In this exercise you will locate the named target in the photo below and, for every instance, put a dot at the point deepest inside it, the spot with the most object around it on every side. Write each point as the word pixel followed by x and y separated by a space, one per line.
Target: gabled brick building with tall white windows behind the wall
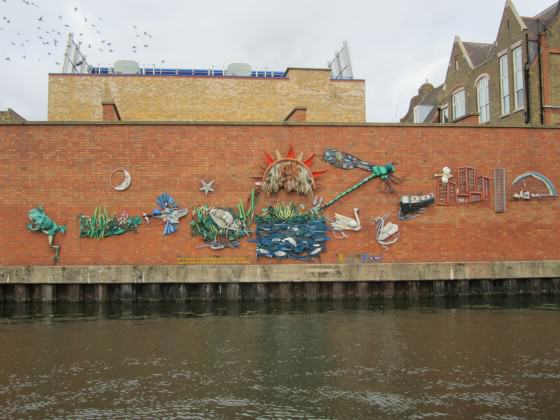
pixel 514 80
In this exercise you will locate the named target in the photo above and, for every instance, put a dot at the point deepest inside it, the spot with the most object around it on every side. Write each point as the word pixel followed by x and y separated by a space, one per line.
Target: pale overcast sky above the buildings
pixel 394 45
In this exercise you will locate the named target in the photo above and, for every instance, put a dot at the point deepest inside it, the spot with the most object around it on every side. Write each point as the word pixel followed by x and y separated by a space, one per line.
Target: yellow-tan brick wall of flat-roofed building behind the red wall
pixel 79 97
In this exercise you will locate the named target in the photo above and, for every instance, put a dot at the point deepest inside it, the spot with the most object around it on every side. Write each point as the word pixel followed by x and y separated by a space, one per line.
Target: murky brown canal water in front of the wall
pixel 485 359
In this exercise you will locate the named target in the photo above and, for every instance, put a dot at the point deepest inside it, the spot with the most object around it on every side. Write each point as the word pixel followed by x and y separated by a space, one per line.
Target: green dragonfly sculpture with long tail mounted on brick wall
pixel 347 161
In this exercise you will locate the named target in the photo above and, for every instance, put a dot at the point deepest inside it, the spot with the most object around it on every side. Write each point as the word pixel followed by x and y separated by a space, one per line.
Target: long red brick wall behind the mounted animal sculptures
pixel 66 169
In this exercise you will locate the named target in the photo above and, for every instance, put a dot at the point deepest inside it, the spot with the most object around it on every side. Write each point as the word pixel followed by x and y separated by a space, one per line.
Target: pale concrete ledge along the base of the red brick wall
pixel 289 273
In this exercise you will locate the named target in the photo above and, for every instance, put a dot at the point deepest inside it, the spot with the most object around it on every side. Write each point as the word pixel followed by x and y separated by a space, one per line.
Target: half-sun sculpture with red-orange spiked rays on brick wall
pixel 291 173
